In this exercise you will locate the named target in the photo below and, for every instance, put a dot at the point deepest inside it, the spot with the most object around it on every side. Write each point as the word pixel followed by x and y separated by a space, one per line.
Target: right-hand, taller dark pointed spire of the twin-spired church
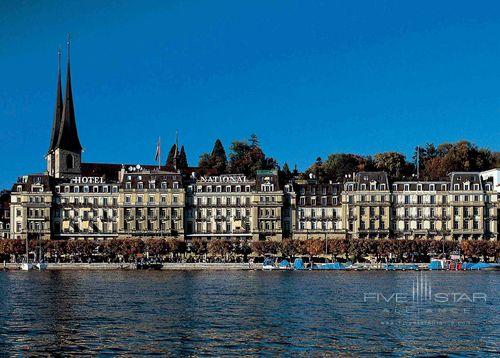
pixel 68 133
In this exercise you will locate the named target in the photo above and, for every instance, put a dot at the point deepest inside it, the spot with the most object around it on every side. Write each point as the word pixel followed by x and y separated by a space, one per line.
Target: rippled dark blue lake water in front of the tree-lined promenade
pixel 249 313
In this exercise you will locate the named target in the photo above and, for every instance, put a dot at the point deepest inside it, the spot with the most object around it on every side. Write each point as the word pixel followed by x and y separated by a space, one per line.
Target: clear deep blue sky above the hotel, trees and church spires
pixel 309 77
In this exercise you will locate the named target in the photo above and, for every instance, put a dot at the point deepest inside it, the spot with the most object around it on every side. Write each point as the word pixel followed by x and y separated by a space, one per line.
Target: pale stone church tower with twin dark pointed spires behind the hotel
pixel 65 153
